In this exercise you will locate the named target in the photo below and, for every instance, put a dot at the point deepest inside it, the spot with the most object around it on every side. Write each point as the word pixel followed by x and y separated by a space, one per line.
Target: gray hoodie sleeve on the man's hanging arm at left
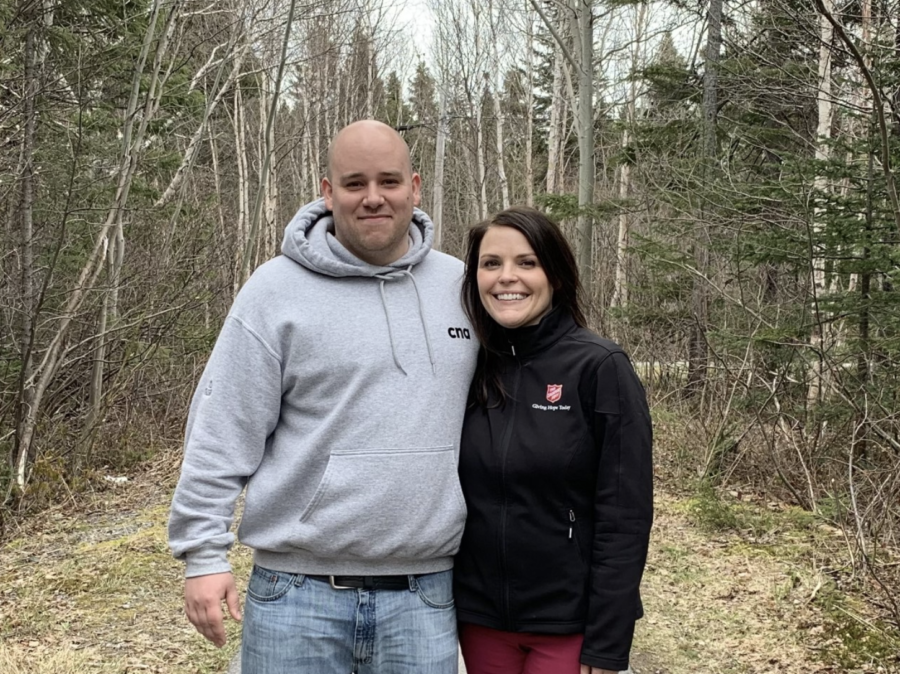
pixel 234 410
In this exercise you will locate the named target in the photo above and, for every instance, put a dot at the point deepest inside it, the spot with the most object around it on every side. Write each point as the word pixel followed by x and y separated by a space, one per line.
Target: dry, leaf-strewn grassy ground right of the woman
pixel 742 588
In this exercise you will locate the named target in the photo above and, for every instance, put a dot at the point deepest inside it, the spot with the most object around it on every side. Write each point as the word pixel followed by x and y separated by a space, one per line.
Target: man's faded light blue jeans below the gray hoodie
pixel 297 625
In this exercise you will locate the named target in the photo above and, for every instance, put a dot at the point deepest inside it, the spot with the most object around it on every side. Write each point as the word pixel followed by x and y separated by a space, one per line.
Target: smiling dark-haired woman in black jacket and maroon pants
pixel 555 465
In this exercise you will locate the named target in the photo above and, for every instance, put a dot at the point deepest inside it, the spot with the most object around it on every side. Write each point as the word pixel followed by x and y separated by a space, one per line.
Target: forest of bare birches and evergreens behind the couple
pixel 725 171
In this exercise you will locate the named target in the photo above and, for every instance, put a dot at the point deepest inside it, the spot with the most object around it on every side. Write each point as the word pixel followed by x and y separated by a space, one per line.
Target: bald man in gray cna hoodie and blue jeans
pixel 335 394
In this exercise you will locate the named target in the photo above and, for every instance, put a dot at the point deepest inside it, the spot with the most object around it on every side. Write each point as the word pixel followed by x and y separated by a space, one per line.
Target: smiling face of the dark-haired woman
pixel 511 282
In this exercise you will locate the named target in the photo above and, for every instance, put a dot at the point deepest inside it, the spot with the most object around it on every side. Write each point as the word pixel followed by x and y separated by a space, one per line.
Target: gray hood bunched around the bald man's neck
pixel 309 240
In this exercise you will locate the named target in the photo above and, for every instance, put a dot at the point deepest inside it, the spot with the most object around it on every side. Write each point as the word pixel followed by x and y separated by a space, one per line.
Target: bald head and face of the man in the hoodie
pixel 371 192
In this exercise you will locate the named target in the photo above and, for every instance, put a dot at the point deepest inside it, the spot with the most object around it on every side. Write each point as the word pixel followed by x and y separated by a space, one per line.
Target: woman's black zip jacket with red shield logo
pixel 559 488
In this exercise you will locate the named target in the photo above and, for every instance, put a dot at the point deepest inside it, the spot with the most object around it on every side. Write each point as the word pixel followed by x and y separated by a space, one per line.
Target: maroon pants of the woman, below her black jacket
pixel 488 651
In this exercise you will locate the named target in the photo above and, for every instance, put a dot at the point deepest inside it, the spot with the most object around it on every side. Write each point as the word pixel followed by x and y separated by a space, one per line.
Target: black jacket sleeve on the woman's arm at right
pixel 623 514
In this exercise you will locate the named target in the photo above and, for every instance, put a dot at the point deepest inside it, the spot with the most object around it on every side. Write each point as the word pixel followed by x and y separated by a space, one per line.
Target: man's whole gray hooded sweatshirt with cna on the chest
pixel 335 394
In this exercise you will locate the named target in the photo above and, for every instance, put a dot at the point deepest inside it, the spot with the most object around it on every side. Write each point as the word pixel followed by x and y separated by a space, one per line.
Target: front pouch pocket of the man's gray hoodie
pixel 385 504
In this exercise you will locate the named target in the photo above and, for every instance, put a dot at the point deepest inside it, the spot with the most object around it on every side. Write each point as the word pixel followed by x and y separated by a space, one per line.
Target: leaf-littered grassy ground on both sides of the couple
pixel 90 587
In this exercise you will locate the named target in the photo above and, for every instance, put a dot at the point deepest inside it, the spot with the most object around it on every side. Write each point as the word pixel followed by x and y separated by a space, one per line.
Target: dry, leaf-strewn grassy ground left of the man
pixel 100 593
